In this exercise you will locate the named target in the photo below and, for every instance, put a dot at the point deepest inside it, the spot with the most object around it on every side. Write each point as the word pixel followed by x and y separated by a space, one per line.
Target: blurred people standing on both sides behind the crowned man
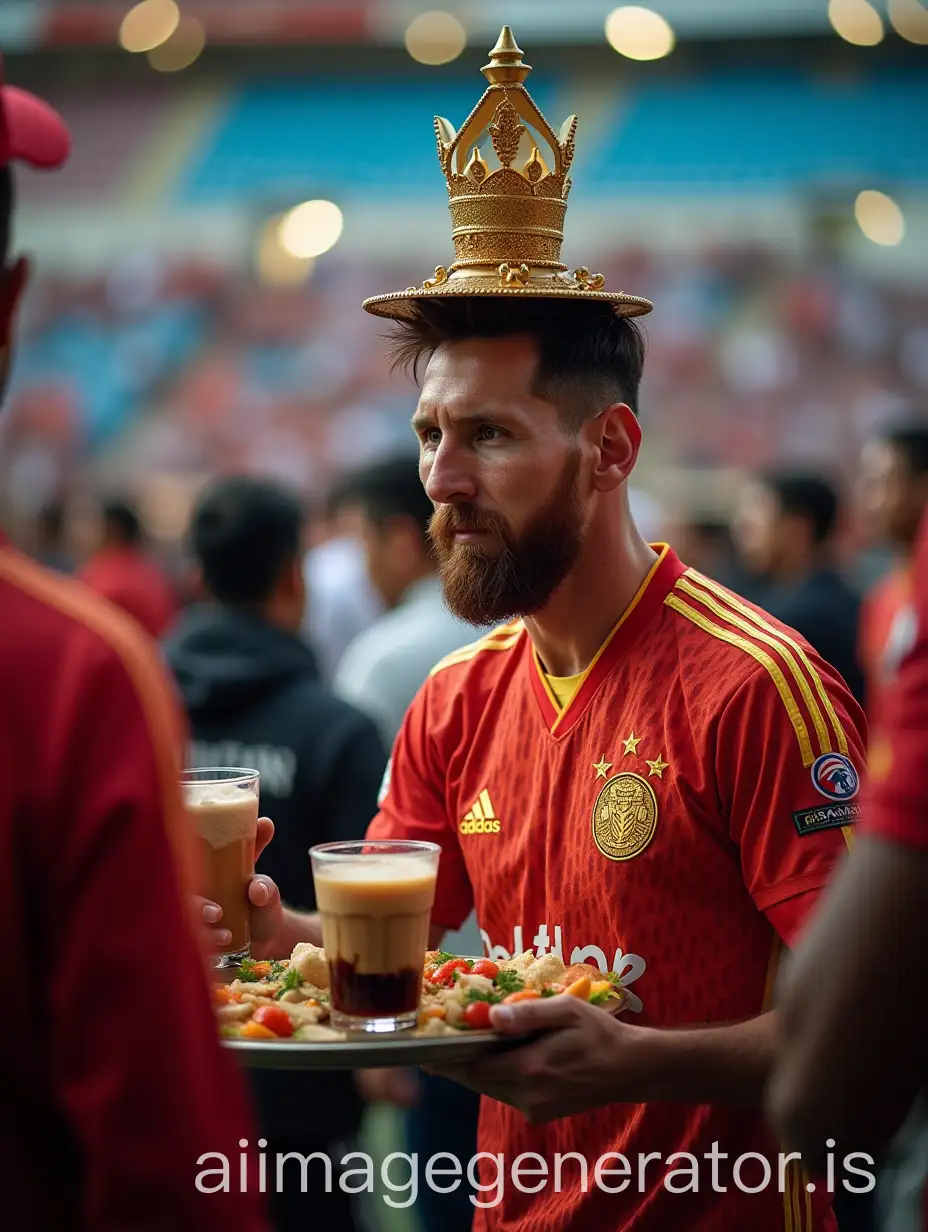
pixel 300 631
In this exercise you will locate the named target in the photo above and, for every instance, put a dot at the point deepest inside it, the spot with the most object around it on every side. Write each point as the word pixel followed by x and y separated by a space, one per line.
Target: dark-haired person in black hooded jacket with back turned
pixel 254 699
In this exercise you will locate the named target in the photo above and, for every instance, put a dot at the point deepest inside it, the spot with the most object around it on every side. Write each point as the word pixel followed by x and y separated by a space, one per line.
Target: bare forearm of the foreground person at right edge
pixel 855 1007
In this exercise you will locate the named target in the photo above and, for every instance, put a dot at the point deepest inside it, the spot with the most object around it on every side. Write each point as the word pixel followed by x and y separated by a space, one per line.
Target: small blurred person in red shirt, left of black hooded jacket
pixel 124 572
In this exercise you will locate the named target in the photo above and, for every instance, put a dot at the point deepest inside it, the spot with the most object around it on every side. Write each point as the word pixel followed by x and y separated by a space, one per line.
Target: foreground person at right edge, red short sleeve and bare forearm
pixel 869 933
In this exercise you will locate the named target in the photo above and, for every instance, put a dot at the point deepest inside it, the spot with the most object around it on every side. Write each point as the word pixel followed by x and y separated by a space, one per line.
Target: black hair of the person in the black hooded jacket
pixel 243 534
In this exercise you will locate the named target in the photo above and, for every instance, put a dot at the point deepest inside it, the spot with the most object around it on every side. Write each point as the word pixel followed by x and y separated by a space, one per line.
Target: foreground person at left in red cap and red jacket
pixel 114 1080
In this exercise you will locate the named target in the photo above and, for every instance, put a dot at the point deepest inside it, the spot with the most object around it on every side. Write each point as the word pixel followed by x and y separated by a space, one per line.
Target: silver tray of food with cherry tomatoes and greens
pixel 277 1015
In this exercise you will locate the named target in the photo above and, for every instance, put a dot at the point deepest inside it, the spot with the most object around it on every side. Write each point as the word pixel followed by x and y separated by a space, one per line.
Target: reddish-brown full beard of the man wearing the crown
pixel 516 576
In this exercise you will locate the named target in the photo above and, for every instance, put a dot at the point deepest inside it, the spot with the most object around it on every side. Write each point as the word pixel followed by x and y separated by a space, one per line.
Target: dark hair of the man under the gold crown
pixel 588 358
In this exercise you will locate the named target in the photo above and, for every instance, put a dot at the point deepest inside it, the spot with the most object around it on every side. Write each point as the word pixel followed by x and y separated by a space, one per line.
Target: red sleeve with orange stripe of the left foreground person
pixel 135 1059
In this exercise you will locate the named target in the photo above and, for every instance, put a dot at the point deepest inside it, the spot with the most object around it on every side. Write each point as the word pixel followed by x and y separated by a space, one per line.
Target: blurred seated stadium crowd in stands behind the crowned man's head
pixel 756 359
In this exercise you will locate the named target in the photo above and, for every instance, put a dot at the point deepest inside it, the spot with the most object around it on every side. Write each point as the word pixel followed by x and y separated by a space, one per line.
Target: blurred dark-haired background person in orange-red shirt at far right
pixel 894 495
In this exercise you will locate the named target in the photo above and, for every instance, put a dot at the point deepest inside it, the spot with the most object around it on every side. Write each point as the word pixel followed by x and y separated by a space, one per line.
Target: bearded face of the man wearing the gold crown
pixel 505 477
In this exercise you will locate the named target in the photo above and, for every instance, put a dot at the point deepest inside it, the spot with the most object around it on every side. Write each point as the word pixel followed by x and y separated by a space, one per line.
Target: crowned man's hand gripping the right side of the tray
pixel 585 1059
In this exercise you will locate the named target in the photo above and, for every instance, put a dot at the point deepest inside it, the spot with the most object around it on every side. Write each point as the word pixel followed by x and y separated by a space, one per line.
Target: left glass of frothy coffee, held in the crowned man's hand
pixel 224 806
